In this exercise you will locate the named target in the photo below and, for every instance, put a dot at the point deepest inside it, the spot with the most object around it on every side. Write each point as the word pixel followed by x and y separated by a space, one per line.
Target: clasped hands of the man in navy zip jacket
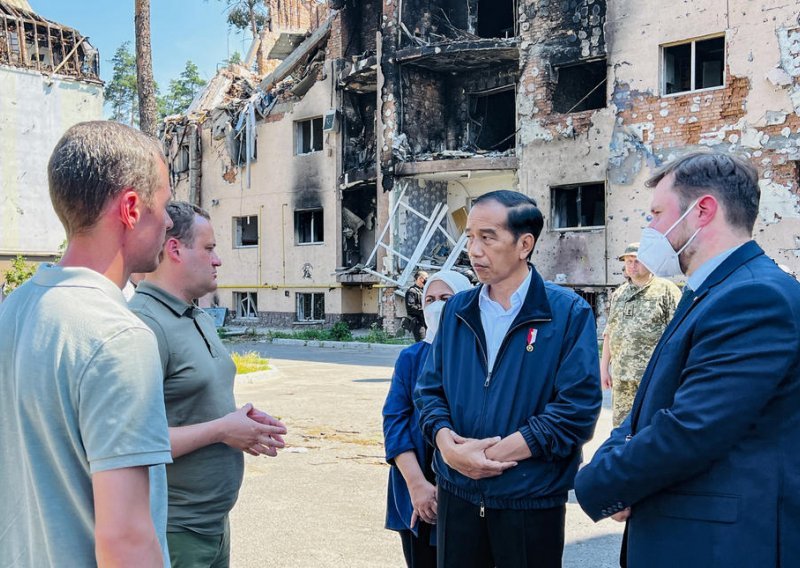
pixel 478 459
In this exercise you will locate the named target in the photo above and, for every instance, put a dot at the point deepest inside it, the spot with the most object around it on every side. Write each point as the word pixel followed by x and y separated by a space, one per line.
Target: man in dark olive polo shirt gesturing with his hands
pixel 207 433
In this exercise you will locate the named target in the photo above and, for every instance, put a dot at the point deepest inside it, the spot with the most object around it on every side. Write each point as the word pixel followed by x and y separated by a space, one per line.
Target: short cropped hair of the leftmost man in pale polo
pixel 95 161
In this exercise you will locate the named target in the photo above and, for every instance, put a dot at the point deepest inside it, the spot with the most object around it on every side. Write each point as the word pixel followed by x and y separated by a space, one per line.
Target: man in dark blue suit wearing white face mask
pixel 705 469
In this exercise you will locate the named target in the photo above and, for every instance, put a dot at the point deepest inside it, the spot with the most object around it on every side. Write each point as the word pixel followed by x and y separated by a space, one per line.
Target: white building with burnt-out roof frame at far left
pixel 49 80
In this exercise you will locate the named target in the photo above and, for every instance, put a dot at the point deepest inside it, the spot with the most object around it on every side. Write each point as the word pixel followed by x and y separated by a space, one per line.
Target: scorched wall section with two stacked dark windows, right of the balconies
pixel 564 129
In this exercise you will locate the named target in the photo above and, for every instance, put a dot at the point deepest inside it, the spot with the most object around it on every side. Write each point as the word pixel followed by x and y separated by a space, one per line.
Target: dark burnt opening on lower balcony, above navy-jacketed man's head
pixel 493 120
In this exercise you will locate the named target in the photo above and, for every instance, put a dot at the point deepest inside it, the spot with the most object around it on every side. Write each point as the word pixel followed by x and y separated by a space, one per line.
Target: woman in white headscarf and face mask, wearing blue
pixel 411 506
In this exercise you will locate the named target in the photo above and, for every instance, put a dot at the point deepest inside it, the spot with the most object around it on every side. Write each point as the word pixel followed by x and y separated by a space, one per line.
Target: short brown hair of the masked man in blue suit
pixel 731 179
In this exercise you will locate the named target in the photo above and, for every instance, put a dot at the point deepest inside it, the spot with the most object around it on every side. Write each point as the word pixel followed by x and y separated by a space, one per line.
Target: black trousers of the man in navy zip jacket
pixel 503 538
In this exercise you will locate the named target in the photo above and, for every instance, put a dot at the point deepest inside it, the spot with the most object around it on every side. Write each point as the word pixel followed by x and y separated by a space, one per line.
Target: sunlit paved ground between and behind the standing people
pixel 321 502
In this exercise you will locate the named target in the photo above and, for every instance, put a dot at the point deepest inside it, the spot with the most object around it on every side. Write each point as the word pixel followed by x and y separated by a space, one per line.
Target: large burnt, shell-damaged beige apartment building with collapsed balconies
pixel 354 154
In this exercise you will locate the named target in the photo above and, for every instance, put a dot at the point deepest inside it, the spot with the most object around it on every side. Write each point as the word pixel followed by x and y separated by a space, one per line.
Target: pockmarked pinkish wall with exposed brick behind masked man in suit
pixel 726 77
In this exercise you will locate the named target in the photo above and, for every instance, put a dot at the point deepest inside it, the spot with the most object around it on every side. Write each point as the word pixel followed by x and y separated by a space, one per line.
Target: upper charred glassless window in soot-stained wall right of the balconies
pixel 580 87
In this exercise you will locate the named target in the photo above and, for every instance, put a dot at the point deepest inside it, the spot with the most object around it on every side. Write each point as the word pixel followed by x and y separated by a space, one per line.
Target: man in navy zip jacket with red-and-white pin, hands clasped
pixel 509 394
